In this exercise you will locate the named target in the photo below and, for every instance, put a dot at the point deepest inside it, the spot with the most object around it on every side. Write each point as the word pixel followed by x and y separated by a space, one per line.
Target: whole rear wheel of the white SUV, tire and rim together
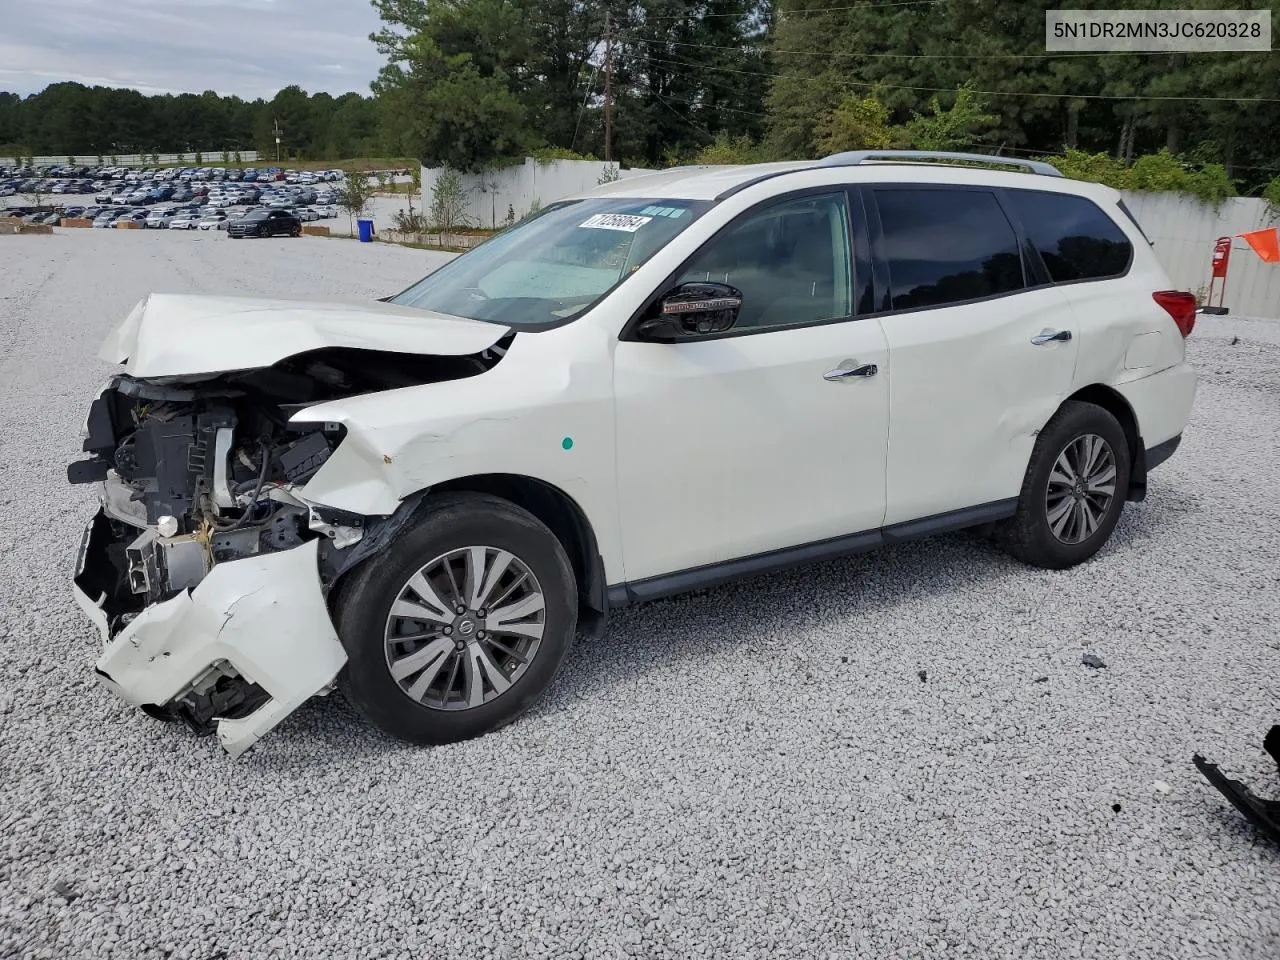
pixel 1060 524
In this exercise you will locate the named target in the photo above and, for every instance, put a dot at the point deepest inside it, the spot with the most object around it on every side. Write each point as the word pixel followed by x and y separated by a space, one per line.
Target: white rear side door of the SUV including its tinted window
pixel 982 348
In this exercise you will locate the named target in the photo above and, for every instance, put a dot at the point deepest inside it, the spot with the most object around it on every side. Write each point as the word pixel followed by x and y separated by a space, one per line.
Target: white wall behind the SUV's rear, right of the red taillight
pixel 1185 231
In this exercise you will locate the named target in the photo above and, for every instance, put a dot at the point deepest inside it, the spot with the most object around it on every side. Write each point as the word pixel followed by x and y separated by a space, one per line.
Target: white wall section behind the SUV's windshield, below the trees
pixel 515 189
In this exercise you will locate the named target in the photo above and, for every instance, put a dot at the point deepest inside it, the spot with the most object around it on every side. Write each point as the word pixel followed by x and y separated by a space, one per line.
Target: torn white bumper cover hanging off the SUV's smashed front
pixel 264 616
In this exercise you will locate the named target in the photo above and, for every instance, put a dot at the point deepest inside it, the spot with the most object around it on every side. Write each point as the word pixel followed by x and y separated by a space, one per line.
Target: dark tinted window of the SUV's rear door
pixel 948 246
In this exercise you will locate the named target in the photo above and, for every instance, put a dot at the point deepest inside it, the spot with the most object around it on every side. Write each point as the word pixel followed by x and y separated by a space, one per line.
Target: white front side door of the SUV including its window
pixel 770 436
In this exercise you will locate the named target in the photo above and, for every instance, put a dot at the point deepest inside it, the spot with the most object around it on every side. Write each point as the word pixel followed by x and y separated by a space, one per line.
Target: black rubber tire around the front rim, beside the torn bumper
pixel 364 604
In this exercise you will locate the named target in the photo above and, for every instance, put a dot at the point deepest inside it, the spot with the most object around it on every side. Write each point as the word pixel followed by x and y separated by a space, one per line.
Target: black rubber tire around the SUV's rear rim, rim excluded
pixel 1028 536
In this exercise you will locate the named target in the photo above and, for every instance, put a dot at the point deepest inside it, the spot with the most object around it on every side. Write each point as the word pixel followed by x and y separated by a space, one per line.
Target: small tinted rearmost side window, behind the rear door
pixel 1075 237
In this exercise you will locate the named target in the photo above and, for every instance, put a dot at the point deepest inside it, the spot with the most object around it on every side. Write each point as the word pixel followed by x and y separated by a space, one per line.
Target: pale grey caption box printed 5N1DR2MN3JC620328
pixel 1158 31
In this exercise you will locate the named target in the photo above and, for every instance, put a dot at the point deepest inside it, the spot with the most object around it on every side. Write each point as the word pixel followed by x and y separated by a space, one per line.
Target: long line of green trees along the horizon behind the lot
pixel 477 84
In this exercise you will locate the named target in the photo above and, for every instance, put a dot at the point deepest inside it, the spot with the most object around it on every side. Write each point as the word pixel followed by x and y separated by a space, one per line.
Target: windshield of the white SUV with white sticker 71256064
pixel 556 266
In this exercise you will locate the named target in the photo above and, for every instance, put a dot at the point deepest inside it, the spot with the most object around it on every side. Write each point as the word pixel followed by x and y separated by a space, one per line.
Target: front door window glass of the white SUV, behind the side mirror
pixel 790 260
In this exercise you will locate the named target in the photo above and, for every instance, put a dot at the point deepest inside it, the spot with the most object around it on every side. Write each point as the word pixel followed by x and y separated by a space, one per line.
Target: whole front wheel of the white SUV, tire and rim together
pixel 365 620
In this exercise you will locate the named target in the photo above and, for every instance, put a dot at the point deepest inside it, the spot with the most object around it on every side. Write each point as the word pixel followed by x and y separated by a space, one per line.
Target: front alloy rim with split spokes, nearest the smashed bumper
pixel 465 628
